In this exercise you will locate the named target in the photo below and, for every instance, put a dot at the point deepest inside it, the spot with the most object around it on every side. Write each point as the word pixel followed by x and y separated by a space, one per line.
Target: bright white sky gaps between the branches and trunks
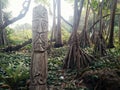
pixel 16 6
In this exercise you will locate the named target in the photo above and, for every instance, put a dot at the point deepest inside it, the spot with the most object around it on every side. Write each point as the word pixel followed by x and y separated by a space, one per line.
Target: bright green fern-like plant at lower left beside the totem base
pixel 15 75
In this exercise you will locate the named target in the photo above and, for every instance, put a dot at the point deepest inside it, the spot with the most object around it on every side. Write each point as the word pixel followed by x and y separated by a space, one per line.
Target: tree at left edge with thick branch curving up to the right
pixel 4 24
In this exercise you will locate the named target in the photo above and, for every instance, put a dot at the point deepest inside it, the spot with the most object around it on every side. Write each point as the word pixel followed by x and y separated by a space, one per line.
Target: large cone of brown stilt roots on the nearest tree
pixel 77 58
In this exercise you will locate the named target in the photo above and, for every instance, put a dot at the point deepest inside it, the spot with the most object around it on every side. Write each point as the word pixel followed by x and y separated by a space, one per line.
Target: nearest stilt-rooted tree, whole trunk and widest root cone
pixel 76 57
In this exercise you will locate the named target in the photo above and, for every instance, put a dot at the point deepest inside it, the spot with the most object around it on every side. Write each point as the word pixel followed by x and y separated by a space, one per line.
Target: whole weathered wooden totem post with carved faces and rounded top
pixel 39 54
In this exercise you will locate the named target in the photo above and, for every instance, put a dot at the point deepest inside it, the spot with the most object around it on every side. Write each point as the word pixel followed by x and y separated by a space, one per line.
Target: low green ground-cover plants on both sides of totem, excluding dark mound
pixel 14 69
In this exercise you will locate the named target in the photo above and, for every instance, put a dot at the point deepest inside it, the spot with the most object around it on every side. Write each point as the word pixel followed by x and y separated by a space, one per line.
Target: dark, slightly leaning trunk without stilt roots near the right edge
pixel 111 26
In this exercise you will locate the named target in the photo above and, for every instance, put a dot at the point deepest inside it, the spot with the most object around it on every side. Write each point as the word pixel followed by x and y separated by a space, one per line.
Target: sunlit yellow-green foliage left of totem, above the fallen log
pixel 18 36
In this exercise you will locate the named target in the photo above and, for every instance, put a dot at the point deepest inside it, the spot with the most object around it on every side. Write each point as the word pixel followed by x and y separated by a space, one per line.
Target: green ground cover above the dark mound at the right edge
pixel 110 61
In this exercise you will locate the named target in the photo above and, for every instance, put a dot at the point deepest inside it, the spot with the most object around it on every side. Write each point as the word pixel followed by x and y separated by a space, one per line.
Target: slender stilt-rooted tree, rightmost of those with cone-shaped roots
pixel 100 45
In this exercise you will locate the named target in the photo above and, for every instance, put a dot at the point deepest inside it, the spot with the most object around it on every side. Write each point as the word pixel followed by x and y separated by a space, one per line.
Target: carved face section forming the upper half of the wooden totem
pixel 40 28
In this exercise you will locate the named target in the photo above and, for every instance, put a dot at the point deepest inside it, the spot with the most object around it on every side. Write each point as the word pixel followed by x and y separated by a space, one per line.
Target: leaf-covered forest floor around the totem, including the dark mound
pixel 104 74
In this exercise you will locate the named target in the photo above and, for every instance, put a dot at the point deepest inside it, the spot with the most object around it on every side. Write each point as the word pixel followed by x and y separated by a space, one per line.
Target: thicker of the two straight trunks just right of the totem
pixel 58 42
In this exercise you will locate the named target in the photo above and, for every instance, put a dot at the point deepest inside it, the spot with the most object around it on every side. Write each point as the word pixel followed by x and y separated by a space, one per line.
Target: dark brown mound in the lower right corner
pixel 104 79
